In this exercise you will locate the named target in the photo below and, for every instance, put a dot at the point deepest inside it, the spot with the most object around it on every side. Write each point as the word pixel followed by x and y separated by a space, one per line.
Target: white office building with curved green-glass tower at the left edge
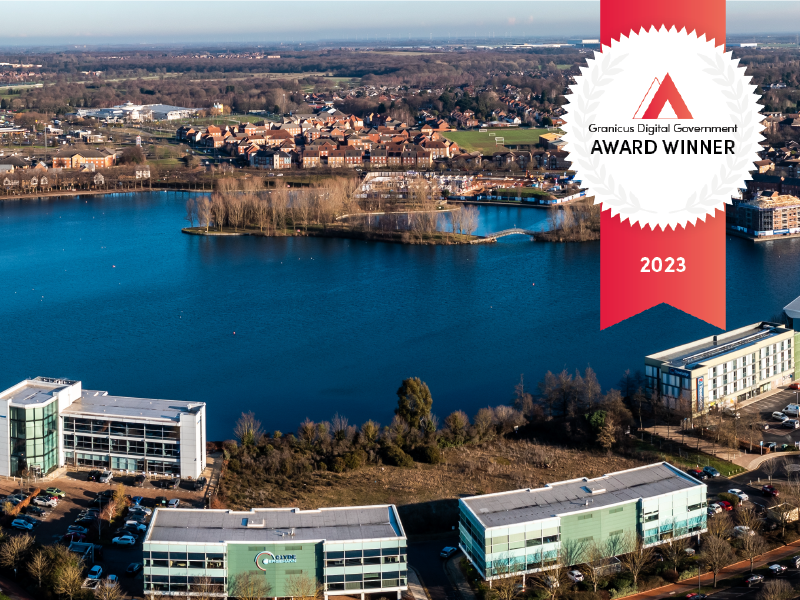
pixel 46 423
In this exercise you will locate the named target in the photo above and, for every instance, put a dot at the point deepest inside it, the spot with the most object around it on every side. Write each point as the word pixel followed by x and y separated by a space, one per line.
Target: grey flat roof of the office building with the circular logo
pixel 270 525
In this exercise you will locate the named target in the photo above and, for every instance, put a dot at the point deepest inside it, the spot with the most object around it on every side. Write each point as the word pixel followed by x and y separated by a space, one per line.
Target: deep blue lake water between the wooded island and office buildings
pixel 107 290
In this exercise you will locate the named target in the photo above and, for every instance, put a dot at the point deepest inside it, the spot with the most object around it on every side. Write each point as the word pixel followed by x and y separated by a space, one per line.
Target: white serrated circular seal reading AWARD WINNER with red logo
pixel 662 127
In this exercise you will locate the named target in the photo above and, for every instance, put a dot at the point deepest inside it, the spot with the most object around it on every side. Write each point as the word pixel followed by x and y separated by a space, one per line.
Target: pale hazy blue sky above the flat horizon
pixel 226 22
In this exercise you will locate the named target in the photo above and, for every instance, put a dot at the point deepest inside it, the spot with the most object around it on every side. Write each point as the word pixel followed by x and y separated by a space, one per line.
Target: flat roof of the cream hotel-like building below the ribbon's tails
pixel 694 354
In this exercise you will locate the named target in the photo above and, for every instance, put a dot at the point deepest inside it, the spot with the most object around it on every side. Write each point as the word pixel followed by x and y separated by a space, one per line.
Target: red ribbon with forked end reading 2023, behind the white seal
pixel 700 289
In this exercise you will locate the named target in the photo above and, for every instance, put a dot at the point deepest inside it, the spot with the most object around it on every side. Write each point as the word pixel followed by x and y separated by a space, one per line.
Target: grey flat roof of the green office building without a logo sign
pixel 556 499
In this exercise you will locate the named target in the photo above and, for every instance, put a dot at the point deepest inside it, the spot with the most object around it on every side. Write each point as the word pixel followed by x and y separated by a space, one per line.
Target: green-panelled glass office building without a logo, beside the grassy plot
pixel 526 531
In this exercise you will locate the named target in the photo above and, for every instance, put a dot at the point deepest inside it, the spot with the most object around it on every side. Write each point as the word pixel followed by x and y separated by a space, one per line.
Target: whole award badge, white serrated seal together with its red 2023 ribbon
pixel 662 127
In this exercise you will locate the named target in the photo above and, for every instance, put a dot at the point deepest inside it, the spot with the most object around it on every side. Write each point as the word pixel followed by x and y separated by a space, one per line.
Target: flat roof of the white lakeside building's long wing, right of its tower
pixel 100 404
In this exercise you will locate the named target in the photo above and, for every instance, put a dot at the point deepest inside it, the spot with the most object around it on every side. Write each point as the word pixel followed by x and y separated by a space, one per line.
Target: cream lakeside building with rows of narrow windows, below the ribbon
pixel 723 369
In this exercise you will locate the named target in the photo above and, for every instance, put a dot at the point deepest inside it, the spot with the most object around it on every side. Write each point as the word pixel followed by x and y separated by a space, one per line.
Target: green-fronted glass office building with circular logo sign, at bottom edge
pixel 353 551
